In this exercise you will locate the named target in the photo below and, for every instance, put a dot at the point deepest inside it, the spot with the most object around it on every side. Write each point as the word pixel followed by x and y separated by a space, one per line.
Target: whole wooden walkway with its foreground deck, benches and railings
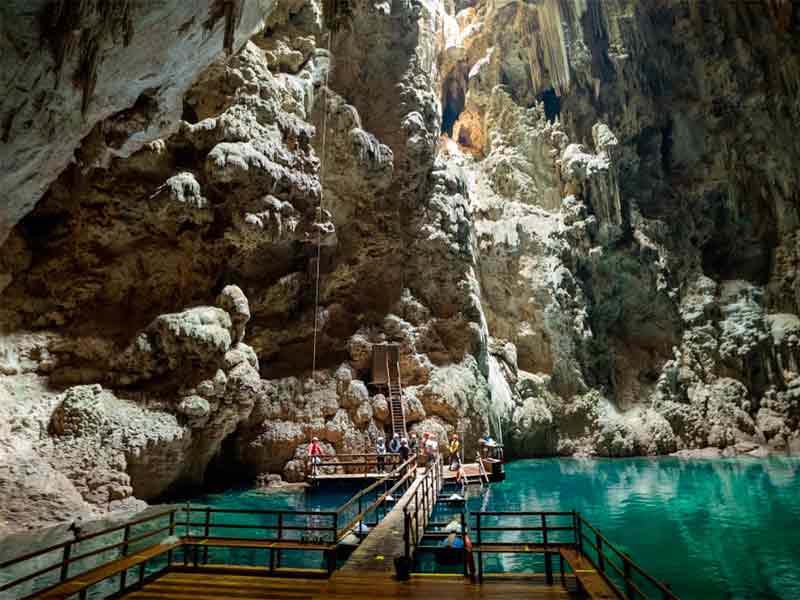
pixel 370 572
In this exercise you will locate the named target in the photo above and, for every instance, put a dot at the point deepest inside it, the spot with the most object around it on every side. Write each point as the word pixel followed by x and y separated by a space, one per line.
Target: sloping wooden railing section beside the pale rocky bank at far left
pixel 69 557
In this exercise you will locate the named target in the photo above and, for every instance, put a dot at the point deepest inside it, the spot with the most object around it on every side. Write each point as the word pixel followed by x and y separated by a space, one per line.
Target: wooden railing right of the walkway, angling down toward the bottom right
pixel 536 533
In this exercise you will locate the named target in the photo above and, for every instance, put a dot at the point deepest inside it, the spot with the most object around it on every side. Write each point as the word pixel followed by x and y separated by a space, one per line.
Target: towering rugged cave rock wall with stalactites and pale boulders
pixel 576 219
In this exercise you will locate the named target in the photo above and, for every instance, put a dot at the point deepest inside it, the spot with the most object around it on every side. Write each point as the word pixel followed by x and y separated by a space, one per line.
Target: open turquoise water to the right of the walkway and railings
pixel 710 528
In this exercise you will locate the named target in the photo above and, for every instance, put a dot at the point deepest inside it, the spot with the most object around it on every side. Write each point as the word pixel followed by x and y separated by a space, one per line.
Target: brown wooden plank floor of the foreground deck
pixel 207 586
